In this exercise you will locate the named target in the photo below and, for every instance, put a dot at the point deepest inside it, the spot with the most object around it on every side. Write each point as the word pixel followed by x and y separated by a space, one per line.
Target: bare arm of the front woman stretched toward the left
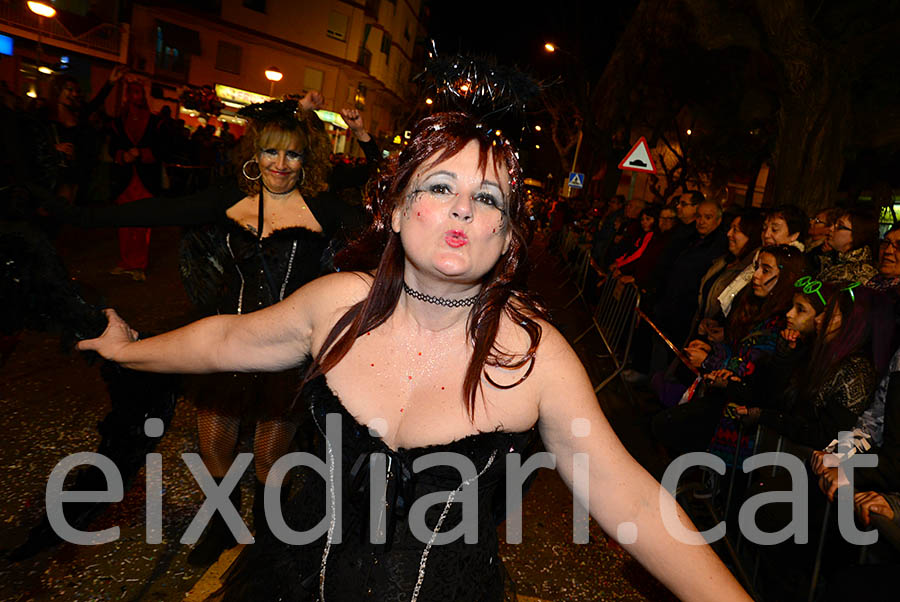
pixel 271 339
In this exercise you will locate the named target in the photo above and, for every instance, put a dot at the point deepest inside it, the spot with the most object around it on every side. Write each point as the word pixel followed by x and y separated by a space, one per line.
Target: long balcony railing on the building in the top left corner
pixel 106 40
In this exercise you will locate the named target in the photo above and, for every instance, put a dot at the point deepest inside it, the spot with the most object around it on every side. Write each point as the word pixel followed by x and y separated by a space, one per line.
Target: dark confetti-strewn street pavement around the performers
pixel 52 400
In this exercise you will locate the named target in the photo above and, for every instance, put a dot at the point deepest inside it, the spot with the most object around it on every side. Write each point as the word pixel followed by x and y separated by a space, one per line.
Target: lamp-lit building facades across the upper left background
pixel 359 53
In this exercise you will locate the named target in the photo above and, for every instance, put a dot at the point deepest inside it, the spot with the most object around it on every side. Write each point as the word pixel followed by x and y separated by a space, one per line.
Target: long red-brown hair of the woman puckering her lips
pixel 435 139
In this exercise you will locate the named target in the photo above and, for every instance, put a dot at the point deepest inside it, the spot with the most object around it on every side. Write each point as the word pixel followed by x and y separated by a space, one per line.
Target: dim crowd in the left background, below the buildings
pixel 90 154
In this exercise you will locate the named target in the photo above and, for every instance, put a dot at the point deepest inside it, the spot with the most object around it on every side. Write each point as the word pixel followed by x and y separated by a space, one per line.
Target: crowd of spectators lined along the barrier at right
pixel 787 321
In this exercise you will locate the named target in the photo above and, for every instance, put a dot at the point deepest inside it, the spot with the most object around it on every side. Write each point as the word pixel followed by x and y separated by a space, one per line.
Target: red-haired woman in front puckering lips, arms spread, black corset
pixel 434 346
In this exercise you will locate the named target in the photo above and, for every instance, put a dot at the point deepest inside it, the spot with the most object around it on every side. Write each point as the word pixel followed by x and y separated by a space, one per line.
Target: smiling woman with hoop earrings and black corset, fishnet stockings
pixel 262 238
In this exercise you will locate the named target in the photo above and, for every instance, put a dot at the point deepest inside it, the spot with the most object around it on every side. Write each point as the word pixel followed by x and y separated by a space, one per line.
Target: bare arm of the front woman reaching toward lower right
pixel 620 490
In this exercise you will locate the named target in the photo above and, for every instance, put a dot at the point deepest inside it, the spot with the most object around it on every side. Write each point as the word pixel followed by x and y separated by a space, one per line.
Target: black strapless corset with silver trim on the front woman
pixel 347 563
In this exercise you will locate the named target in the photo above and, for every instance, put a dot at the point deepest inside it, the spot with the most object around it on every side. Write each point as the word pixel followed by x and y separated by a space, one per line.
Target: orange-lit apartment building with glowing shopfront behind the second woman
pixel 354 52
